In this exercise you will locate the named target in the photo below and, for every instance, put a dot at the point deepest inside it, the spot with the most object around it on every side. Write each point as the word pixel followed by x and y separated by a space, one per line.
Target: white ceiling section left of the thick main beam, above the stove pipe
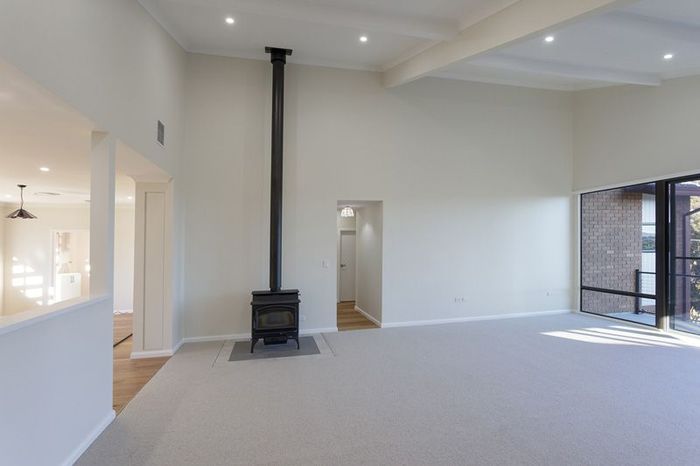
pixel 321 32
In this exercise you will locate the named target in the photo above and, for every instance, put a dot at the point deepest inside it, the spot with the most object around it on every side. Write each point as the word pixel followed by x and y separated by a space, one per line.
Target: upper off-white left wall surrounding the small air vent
pixel 110 60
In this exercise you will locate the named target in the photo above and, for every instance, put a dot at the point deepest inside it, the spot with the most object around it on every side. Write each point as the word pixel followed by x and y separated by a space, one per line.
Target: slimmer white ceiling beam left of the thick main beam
pixel 313 12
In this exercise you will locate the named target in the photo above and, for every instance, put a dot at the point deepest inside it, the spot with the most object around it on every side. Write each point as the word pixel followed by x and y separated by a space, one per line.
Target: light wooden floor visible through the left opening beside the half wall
pixel 130 375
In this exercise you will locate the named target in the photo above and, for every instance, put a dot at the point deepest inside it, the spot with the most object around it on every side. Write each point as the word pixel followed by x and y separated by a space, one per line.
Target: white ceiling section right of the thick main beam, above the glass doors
pixel 625 46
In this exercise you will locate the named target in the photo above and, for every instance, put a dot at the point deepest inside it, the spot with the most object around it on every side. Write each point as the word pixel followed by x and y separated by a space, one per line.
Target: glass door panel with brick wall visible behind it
pixel 618 253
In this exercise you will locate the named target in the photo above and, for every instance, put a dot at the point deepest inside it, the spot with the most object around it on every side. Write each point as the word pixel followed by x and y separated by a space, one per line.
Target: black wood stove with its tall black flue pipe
pixel 275 312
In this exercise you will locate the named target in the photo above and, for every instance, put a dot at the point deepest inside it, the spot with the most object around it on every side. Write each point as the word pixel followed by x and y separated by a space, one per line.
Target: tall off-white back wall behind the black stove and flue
pixel 475 180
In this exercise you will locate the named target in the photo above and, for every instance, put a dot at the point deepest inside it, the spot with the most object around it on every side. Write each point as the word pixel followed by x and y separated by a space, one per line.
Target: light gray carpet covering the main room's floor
pixel 562 390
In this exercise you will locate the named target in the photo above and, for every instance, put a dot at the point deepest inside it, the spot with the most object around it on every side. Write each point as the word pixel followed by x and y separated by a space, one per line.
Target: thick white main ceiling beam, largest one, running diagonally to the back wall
pixel 519 21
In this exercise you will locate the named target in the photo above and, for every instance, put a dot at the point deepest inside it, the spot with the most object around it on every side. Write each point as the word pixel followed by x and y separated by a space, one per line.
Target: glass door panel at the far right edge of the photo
pixel 684 253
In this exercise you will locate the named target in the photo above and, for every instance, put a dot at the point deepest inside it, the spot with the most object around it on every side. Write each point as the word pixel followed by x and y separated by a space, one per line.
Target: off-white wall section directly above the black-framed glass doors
pixel 631 133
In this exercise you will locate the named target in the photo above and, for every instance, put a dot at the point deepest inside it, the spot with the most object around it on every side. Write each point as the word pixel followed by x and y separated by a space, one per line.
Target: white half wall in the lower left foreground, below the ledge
pixel 56 385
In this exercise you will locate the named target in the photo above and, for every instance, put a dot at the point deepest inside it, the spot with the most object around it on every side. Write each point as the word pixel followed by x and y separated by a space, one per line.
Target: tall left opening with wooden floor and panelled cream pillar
pixel 142 226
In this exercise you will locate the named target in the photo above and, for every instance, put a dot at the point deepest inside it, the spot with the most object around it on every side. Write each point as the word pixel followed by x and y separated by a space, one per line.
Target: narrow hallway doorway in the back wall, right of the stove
pixel 359 259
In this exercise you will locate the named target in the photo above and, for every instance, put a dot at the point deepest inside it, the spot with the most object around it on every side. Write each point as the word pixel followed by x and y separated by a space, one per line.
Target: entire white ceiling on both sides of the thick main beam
pixel 625 46
